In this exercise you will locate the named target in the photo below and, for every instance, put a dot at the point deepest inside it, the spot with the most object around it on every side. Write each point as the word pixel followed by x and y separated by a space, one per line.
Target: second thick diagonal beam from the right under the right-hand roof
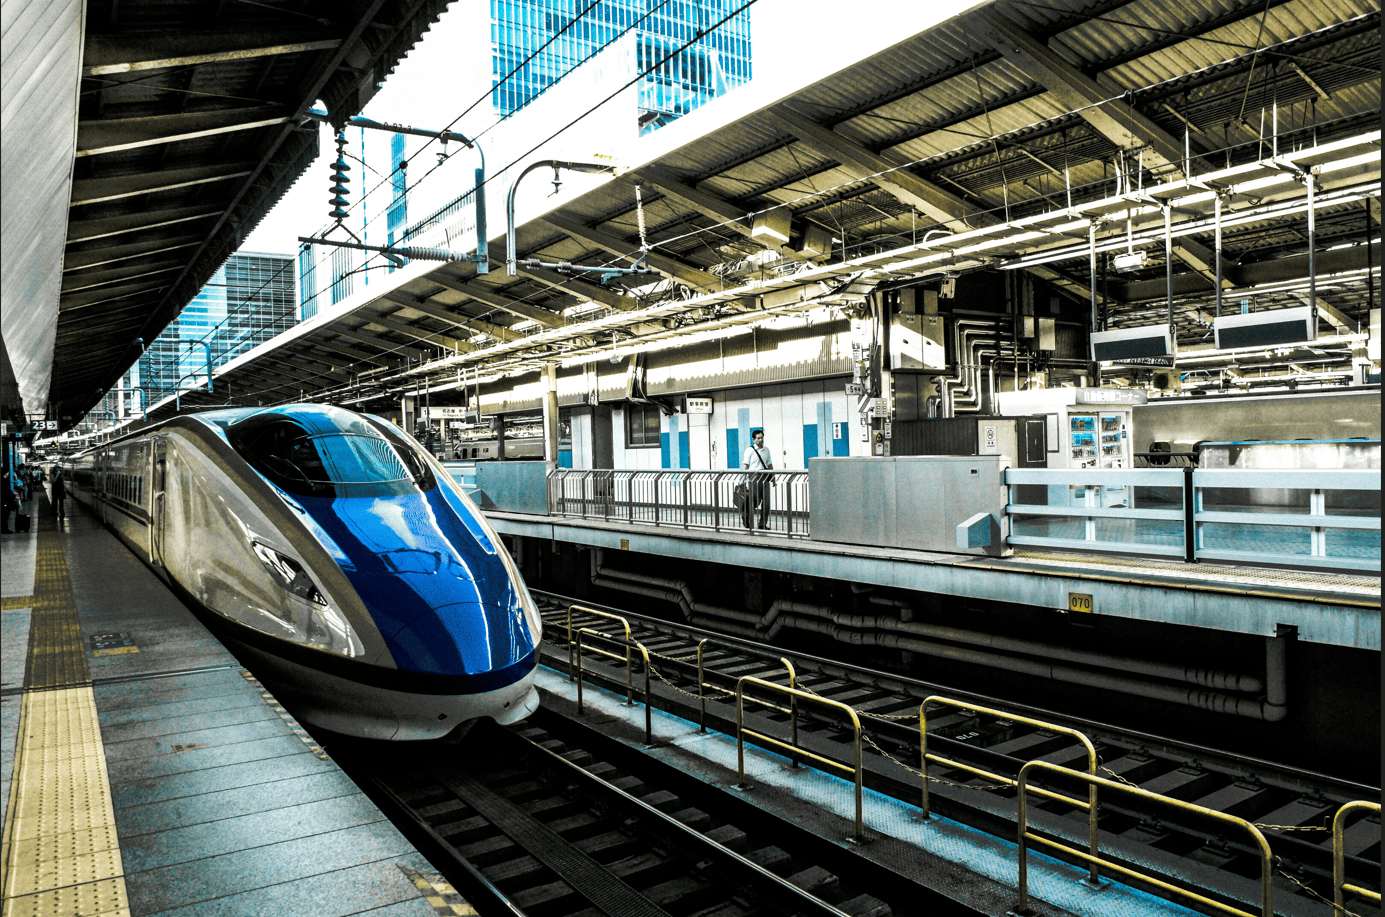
pixel 884 171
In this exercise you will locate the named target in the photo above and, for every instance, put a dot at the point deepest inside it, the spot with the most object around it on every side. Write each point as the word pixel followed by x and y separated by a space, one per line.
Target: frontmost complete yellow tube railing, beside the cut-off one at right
pixel 1095 860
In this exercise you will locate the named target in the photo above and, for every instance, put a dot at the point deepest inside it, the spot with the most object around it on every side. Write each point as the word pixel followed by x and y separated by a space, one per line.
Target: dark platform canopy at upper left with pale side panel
pixel 153 136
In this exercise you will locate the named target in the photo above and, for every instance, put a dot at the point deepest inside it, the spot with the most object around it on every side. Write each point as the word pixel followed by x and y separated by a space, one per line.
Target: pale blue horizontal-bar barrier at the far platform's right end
pixel 1301 517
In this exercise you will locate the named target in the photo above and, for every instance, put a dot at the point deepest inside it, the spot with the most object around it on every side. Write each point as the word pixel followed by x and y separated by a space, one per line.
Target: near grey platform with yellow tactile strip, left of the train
pixel 146 772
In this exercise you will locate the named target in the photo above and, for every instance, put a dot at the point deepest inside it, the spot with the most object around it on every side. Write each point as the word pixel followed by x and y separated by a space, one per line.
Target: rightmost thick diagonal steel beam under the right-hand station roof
pixel 1113 118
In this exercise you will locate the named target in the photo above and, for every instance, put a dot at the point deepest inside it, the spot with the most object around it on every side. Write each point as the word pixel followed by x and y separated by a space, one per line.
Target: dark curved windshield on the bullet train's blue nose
pixel 351 461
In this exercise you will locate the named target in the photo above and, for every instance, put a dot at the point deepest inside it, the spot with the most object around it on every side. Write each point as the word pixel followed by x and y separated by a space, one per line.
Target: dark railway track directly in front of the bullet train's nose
pixel 553 821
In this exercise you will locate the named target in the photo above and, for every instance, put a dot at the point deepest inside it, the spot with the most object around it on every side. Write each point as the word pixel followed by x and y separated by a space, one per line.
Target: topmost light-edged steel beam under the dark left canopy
pixel 107 55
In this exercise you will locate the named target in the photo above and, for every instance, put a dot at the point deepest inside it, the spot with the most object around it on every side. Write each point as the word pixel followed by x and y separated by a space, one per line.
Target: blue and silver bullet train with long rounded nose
pixel 336 558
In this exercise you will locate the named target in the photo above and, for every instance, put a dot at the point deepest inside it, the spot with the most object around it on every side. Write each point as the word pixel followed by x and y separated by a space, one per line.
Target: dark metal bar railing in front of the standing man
pixel 772 502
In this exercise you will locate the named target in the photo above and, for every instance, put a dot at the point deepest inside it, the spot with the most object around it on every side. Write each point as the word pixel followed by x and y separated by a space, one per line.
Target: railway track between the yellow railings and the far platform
pixel 976 754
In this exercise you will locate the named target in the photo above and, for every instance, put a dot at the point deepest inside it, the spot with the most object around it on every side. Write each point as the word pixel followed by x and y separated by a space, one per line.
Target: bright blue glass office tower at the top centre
pixel 679 78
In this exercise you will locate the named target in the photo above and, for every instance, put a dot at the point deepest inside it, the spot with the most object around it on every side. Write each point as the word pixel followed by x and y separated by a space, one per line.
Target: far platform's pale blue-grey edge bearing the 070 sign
pixel 1333 609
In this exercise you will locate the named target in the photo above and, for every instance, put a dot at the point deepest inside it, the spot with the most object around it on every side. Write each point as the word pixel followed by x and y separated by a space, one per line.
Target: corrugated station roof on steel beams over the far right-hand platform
pixel 992 141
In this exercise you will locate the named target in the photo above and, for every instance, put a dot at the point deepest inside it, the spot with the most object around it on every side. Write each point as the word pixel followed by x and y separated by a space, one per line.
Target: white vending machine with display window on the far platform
pixel 1088 429
